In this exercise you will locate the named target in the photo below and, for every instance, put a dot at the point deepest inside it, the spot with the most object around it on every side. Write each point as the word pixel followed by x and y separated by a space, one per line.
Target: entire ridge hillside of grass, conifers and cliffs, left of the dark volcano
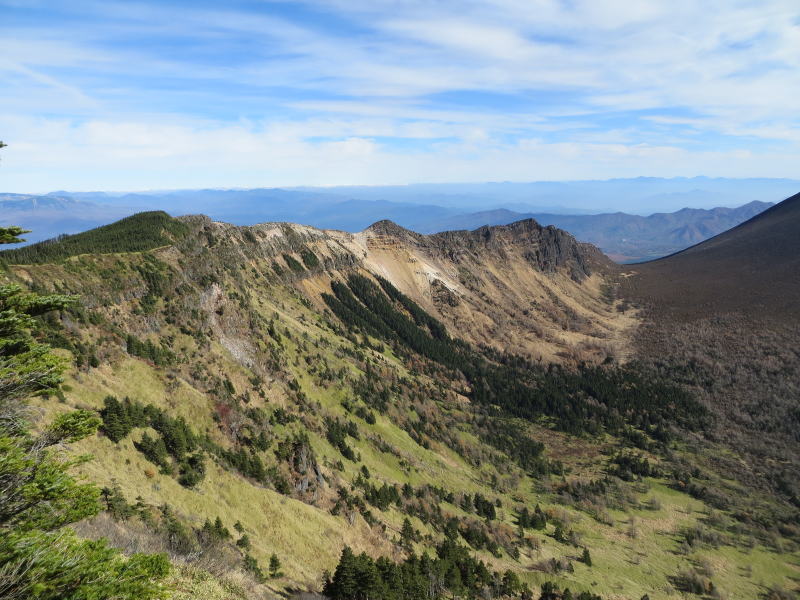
pixel 285 410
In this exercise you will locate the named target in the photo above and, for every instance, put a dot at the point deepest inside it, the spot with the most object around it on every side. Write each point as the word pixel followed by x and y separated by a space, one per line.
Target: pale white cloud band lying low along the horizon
pixel 132 156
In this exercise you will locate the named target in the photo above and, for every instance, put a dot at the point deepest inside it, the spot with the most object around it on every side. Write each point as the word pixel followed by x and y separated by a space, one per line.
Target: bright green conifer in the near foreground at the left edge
pixel 40 557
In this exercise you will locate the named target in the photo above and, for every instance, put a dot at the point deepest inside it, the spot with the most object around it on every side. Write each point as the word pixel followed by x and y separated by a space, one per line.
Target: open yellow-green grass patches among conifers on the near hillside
pixel 309 539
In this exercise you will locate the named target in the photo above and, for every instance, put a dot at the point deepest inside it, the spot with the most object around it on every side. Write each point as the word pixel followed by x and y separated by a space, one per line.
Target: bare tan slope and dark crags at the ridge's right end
pixel 521 287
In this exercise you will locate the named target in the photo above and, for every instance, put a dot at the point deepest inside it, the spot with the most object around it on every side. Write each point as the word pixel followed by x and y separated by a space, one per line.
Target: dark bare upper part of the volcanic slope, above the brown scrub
pixel 752 269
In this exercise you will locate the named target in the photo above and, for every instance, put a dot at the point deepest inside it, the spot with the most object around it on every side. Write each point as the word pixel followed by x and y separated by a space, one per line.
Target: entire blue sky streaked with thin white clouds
pixel 156 95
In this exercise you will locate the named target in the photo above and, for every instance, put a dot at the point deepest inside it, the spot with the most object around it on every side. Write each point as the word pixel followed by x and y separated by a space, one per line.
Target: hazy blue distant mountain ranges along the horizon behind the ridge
pixel 625 236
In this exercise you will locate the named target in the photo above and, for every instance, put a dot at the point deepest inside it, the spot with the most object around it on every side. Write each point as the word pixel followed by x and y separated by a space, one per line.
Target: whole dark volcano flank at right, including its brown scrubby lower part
pixel 726 315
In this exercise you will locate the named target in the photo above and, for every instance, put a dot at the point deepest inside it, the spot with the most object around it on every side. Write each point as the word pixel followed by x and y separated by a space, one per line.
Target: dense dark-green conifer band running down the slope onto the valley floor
pixel 587 400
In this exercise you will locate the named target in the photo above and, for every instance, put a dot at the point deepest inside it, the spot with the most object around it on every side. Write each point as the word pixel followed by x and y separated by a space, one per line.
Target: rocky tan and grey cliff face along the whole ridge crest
pixel 521 287
